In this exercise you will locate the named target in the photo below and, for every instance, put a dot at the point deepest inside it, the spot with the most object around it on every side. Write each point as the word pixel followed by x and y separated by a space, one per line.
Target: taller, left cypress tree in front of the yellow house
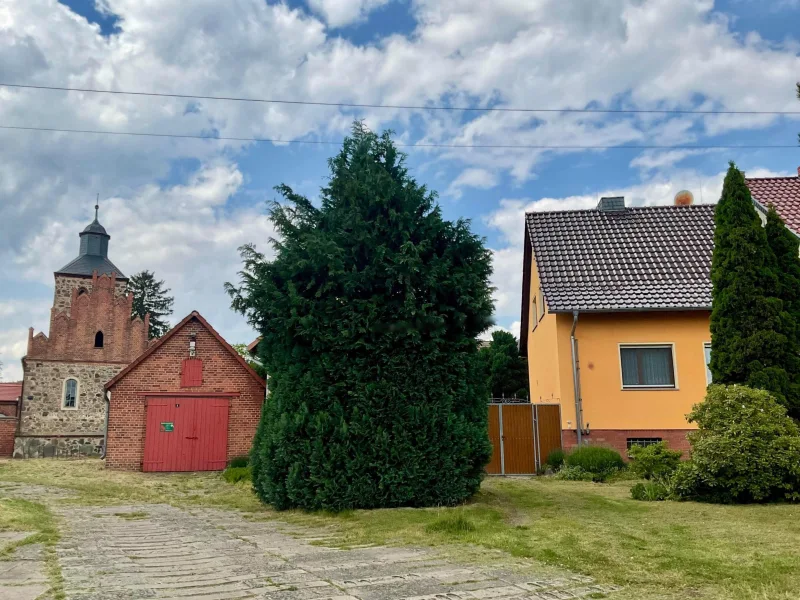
pixel 749 341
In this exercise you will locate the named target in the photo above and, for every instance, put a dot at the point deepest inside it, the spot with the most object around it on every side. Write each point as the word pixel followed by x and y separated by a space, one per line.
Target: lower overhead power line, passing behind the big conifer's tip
pixel 209 138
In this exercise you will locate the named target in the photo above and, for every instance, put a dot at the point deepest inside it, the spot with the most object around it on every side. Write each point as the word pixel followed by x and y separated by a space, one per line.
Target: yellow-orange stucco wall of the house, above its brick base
pixel 605 404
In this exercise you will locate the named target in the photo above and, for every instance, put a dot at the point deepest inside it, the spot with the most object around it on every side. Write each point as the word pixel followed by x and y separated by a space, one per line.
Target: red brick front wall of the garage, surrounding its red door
pixel 161 372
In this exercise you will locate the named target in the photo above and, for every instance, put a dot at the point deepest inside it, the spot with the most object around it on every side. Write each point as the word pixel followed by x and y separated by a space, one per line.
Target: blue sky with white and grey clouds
pixel 181 208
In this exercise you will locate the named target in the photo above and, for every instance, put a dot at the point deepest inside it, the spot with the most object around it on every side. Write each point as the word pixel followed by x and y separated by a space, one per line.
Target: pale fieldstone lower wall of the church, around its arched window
pixel 42 415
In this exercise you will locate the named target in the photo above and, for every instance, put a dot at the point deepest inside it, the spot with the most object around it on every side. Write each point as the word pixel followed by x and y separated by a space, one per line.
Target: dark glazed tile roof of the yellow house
pixel 647 258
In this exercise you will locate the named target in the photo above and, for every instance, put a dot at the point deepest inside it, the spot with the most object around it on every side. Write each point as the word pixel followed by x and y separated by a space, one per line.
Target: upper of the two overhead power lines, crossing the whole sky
pixel 409 106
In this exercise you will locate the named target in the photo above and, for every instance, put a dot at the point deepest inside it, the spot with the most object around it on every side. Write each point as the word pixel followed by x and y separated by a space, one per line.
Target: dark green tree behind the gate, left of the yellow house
pixel 506 369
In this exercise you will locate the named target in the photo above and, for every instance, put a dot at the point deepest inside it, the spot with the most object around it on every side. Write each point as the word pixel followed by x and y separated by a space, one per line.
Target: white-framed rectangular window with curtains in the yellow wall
pixel 647 366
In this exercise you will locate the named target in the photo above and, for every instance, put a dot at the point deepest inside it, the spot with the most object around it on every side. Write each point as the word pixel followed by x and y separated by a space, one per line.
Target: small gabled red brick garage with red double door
pixel 188 403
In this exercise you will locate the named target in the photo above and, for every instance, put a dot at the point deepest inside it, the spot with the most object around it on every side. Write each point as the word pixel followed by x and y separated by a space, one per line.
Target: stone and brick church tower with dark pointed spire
pixel 92 338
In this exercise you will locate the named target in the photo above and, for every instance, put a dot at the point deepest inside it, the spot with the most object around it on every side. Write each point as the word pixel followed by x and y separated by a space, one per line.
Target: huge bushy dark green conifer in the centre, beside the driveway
pixel 369 316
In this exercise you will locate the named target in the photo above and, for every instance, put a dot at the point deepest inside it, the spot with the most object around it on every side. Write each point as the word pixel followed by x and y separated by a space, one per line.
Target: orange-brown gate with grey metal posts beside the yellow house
pixel 522 436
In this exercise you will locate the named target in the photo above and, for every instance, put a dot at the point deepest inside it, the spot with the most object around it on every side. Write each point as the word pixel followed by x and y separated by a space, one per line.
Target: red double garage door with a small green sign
pixel 186 434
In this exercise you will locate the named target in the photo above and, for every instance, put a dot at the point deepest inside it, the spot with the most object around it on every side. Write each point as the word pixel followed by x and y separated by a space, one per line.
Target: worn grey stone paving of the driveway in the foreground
pixel 162 552
